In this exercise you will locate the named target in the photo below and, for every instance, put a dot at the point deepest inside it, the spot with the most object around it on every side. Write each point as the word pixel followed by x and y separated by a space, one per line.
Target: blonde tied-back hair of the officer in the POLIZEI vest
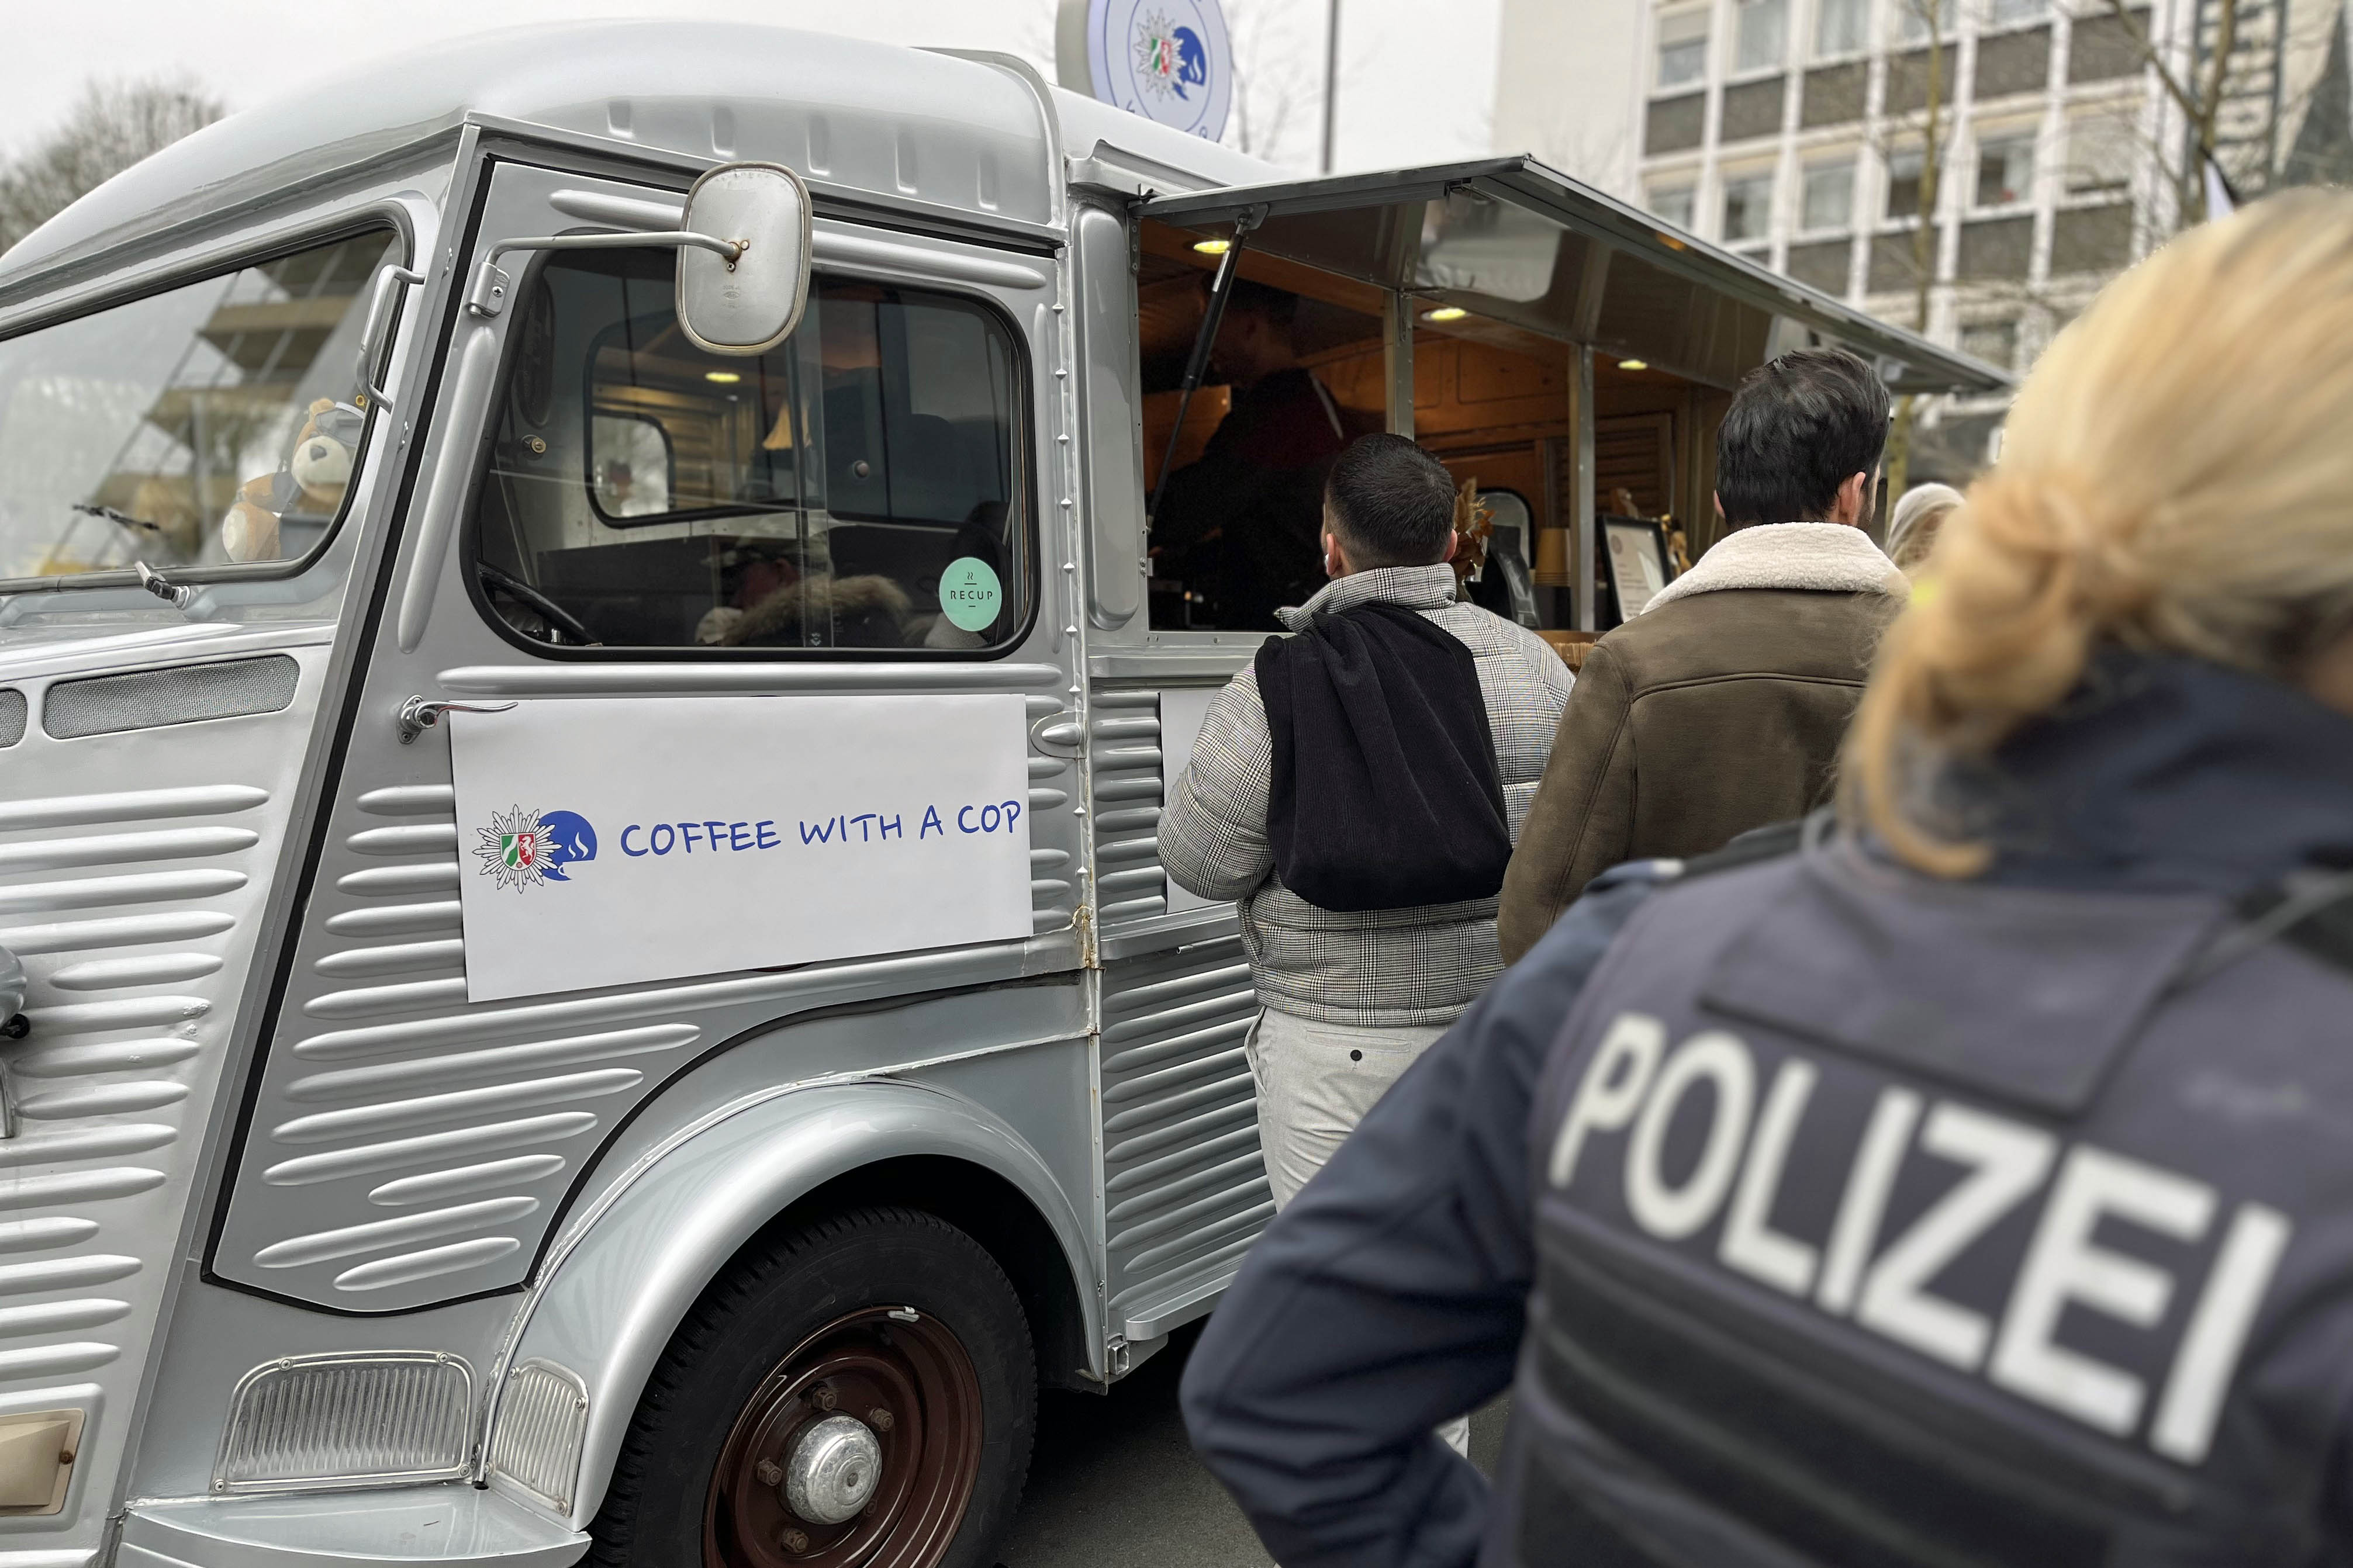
pixel 2178 476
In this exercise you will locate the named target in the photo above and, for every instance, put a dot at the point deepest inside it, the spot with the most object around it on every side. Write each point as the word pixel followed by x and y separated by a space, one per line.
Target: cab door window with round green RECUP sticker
pixel 855 488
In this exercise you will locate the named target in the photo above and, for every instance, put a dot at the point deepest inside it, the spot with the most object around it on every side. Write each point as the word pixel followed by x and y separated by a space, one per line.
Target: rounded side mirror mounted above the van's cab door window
pixel 749 302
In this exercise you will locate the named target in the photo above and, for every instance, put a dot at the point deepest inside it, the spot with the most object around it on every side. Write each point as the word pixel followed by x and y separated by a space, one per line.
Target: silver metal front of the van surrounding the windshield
pixel 105 1061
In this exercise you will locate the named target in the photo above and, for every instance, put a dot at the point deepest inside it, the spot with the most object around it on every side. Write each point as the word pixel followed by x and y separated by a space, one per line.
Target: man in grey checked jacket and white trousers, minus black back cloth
pixel 1352 996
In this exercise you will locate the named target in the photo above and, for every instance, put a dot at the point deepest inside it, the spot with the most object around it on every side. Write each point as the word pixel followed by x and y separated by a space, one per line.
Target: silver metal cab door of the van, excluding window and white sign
pixel 382 1078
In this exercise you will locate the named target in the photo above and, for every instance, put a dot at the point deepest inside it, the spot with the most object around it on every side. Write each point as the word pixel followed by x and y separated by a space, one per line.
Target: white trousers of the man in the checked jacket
pixel 1317 1083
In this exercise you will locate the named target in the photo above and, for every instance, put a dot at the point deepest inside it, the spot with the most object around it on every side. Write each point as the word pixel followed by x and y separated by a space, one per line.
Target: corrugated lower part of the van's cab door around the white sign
pixel 411 1146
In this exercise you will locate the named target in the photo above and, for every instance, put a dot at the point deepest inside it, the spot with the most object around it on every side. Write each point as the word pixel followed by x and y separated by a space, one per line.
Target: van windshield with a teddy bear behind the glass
pixel 213 424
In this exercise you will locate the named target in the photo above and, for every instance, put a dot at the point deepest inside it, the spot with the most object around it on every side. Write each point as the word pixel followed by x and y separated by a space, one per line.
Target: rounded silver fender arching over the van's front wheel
pixel 625 1278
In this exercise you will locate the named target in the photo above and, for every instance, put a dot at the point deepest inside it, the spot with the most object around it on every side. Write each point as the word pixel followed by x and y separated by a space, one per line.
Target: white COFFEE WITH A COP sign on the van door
pixel 620 840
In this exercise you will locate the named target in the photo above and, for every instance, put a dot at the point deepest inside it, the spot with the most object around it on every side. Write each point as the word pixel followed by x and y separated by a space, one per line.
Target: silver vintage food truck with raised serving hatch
pixel 585 699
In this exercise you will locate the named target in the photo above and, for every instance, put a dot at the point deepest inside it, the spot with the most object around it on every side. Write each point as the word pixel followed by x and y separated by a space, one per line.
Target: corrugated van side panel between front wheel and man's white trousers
pixel 1185 1186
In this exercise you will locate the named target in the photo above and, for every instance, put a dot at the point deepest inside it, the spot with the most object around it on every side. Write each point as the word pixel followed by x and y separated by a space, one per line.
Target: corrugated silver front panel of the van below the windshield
pixel 135 871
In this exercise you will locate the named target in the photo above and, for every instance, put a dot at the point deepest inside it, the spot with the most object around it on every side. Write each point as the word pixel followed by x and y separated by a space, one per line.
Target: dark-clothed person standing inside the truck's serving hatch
pixel 1241 523
